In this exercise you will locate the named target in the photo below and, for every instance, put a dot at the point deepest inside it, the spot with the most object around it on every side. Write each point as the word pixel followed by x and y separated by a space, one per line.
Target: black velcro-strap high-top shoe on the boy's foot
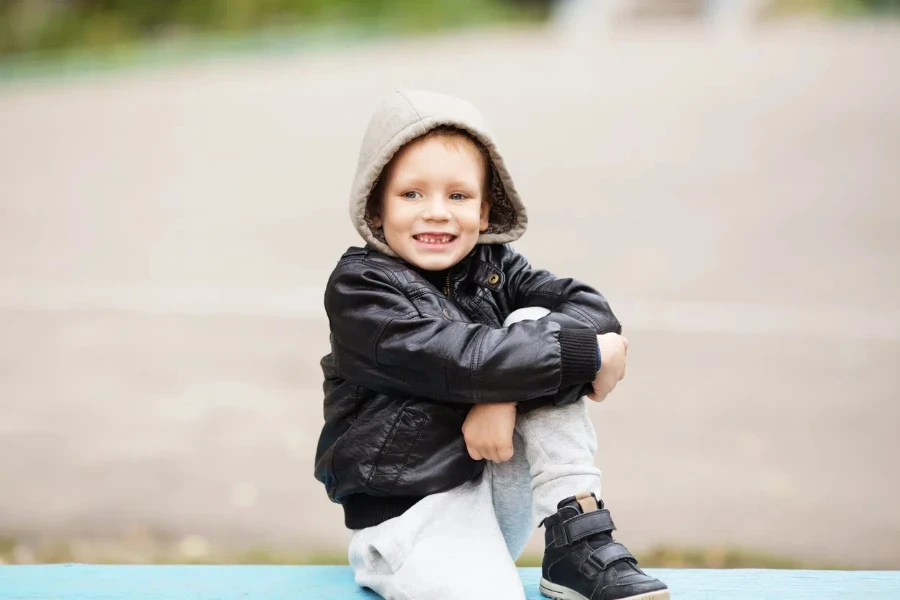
pixel 583 562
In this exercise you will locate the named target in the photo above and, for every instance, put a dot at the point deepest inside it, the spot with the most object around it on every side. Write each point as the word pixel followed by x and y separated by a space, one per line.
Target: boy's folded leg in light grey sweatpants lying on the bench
pixel 448 546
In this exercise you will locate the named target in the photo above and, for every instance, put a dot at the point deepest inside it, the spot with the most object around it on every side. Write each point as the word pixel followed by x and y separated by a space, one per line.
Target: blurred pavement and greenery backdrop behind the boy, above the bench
pixel 173 195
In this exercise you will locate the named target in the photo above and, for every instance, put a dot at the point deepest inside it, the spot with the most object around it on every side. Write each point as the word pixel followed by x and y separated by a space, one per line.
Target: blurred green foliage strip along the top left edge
pixel 55 27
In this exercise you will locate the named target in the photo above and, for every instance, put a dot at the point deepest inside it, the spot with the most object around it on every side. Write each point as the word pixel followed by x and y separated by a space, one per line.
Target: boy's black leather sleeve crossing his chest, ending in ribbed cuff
pixel 382 342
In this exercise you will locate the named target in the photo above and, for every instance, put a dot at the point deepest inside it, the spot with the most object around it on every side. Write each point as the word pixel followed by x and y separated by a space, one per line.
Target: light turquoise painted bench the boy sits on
pixel 93 582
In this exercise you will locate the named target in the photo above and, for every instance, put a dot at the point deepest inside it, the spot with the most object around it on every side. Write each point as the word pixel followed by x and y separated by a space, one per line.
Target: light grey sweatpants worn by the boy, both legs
pixel 461 544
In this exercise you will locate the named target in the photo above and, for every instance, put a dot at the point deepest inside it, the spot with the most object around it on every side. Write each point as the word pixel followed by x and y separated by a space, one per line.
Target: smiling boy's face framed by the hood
pixel 433 207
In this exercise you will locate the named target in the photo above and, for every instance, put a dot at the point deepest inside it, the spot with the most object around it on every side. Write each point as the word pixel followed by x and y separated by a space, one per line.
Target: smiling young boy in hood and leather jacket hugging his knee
pixel 454 412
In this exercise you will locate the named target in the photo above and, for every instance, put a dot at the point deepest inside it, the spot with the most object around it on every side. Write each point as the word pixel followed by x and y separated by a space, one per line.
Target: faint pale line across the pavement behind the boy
pixel 306 302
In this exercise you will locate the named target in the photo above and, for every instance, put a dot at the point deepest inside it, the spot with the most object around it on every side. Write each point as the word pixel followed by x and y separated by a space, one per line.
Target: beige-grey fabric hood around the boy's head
pixel 408 114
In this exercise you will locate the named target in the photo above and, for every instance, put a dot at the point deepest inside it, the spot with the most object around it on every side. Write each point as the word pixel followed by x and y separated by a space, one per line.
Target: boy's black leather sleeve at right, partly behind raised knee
pixel 569 301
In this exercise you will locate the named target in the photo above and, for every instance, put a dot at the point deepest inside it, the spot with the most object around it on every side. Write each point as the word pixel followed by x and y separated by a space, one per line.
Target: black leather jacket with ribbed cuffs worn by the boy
pixel 409 358
